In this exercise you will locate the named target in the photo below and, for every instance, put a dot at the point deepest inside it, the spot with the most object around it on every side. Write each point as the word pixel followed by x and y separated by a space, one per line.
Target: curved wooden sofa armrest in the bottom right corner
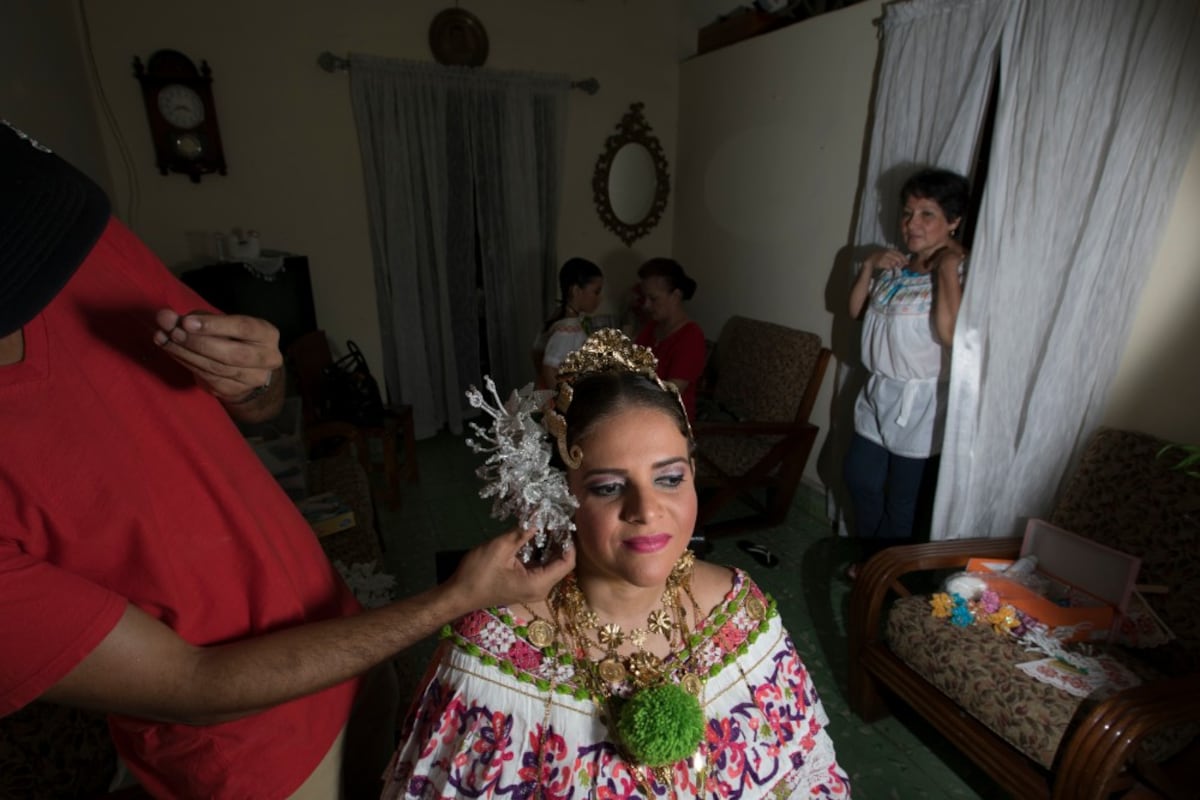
pixel 1108 738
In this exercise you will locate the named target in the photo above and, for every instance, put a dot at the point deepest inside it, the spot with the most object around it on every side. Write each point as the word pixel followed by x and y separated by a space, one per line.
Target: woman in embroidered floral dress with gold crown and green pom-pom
pixel 645 673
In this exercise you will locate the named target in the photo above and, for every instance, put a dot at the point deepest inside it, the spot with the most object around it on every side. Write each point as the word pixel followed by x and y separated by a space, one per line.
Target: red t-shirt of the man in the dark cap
pixel 123 482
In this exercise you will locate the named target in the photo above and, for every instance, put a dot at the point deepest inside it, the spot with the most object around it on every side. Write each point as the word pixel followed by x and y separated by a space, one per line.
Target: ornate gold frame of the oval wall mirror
pixel 634 130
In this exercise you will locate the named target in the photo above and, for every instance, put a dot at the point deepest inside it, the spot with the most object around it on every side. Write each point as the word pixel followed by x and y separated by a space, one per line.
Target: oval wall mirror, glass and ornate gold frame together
pixel 631 185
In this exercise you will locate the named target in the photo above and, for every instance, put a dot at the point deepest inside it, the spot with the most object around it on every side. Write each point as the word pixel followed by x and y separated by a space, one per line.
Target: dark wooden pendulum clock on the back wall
pixel 183 116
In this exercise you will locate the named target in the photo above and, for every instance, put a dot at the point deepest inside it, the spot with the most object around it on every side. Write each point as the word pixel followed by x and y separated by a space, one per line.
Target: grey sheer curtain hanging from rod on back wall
pixel 452 158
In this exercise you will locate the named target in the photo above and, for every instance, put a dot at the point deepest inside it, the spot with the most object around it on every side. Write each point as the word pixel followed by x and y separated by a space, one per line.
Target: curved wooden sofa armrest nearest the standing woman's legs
pixel 883 574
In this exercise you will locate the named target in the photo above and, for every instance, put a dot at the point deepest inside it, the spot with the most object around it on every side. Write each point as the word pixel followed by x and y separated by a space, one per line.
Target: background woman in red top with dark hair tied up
pixel 677 342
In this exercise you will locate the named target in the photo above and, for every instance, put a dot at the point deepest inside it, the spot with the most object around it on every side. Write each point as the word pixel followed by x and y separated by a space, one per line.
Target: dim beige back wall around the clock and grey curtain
pixel 289 131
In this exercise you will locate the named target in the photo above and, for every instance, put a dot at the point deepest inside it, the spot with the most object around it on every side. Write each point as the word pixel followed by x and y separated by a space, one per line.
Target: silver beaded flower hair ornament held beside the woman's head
pixel 518 473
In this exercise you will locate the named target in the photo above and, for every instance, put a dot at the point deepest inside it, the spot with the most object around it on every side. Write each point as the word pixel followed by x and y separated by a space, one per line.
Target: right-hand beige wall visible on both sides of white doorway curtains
pixel 770 154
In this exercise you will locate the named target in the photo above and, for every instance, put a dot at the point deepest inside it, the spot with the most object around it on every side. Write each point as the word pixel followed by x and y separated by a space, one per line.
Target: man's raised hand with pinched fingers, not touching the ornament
pixel 230 356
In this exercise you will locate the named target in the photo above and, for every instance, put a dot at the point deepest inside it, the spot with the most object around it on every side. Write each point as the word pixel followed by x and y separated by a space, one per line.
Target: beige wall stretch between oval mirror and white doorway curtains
pixel 770 151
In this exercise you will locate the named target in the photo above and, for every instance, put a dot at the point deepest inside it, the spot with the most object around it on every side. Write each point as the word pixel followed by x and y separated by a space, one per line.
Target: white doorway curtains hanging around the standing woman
pixel 1097 112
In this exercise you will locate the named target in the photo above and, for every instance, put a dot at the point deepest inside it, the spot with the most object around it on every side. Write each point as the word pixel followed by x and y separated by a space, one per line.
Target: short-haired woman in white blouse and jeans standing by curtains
pixel 911 302
